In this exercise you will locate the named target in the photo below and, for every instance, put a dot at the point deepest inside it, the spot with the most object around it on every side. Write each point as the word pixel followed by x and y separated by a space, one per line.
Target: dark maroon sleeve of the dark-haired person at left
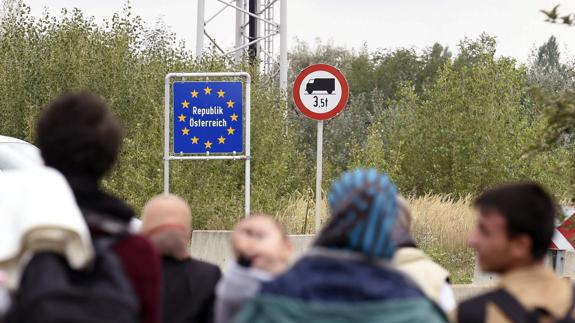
pixel 142 265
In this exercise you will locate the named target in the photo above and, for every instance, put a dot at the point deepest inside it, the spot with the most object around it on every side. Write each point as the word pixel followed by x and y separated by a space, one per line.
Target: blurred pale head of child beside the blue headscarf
pixel 263 242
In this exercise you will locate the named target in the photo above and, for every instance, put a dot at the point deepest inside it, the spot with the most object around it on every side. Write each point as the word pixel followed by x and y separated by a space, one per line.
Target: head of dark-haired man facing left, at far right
pixel 514 228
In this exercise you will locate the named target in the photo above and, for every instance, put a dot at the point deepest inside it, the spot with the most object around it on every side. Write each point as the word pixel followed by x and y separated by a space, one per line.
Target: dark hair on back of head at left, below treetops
pixel 78 135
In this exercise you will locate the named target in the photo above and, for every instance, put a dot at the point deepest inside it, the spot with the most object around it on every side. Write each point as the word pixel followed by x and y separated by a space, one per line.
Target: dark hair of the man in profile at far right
pixel 527 208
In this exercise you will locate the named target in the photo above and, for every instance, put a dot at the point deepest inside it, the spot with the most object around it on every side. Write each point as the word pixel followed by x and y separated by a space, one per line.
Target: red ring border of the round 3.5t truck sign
pixel 340 105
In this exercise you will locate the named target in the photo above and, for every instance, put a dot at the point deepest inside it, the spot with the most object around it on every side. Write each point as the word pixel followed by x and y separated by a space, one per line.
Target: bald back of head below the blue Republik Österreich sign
pixel 166 221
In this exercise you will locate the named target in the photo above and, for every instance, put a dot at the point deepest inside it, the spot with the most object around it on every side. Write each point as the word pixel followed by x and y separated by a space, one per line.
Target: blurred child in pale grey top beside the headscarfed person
pixel 262 249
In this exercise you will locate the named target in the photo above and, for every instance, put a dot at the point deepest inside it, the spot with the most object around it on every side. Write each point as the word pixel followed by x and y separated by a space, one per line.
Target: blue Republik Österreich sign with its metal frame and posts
pixel 213 120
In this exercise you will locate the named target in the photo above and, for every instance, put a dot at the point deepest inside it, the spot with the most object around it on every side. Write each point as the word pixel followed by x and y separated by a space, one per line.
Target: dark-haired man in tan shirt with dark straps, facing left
pixel 512 235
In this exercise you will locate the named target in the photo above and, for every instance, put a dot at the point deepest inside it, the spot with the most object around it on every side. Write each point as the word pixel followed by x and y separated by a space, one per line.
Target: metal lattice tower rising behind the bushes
pixel 255 33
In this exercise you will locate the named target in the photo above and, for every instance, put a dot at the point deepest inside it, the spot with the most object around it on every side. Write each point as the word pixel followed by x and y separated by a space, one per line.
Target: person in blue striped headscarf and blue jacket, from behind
pixel 347 276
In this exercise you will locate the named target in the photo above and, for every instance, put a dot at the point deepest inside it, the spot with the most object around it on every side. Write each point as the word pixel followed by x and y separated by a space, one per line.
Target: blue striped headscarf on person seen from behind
pixel 364 210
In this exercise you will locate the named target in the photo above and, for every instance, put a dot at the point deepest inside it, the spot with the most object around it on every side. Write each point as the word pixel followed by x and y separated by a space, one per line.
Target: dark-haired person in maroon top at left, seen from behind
pixel 81 138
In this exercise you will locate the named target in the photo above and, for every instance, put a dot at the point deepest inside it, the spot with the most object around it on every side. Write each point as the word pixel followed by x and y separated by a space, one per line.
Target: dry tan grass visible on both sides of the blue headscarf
pixel 441 225
